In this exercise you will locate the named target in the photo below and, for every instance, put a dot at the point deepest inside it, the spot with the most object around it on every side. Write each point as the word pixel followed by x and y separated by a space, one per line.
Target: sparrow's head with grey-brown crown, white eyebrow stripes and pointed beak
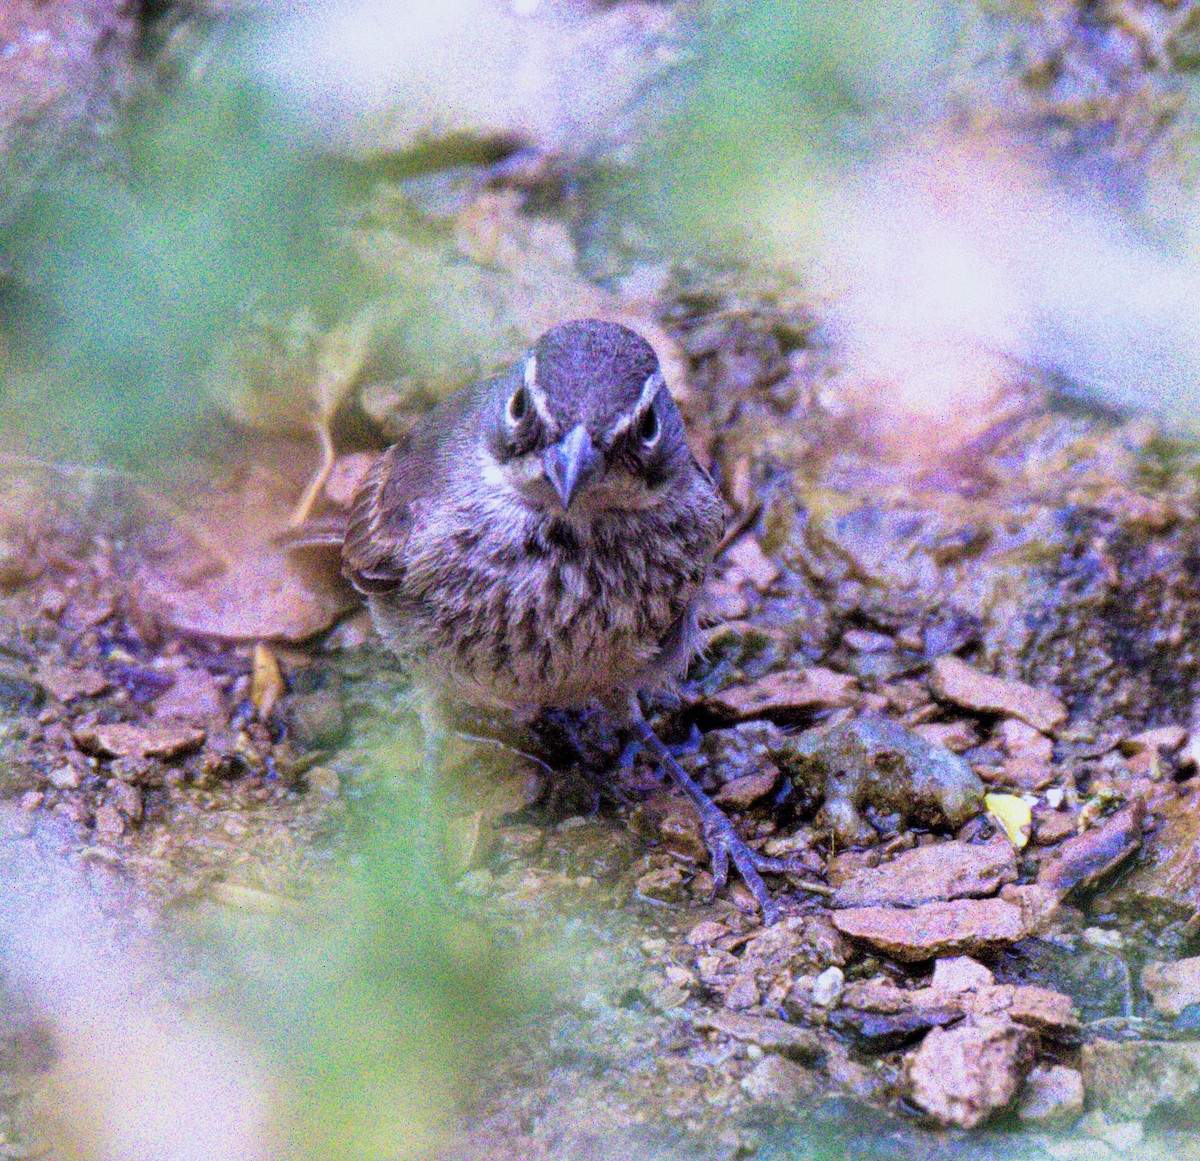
pixel 584 423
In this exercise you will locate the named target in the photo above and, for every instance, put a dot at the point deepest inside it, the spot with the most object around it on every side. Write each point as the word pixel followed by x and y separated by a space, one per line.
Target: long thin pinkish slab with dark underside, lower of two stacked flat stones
pixel 934 930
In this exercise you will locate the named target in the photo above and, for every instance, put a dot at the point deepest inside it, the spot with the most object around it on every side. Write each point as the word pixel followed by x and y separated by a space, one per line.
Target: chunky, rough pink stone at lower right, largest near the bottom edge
pixel 962 1076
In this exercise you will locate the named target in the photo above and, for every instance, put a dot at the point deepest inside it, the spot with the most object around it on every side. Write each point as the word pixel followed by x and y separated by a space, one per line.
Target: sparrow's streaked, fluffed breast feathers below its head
pixel 519 611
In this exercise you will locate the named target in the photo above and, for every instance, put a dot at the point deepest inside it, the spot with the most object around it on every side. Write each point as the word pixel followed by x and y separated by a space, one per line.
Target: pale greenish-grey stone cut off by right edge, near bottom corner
pixel 1132 1079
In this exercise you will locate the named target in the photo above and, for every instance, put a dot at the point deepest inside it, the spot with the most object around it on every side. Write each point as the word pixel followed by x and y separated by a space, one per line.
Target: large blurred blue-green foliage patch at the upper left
pixel 130 276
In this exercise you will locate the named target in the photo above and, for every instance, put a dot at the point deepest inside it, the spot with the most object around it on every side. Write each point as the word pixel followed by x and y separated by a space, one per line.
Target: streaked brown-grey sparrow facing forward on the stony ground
pixel 543 543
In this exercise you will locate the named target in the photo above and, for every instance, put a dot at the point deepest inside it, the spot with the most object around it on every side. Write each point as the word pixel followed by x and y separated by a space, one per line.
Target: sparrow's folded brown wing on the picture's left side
pixel 385 507
